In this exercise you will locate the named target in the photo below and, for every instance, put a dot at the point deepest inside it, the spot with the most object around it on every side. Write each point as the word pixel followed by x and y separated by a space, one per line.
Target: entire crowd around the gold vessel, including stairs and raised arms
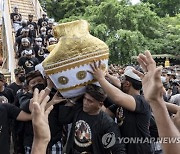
pixel 131 102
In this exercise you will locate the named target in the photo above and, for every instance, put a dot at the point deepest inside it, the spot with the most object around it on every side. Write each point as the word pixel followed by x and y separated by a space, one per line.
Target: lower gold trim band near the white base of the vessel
pixel 77 86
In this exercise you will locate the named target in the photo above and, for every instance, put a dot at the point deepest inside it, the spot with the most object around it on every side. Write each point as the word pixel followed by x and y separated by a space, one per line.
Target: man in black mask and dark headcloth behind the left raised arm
pixel 34 80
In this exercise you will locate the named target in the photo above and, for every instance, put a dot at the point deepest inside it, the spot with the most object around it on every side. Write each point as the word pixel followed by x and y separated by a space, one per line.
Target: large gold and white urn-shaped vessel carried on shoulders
pixel 70 58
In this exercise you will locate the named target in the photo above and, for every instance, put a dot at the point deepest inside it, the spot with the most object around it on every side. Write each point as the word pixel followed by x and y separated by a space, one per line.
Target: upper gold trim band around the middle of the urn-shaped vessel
pixel 77 64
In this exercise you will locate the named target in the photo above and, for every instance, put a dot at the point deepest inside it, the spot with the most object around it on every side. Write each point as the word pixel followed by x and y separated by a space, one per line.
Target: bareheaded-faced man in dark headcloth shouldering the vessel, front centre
pixel 91 127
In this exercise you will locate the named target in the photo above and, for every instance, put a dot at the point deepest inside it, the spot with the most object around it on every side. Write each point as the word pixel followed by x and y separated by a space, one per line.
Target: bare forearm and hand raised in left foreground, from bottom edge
pixel 41 128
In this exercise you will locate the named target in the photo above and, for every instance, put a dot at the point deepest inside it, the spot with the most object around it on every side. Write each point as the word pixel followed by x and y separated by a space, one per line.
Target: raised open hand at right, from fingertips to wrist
pixel 151 78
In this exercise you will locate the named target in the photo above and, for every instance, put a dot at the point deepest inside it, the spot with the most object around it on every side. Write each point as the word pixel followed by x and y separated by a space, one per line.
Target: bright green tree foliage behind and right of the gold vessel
pixel 127 29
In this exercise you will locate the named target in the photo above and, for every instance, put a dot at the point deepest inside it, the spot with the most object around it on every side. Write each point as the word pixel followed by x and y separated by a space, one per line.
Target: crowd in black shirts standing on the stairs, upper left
pixel 32 39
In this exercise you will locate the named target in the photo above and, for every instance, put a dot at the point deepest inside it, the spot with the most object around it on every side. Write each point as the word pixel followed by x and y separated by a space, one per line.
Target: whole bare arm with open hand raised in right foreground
pixel 153 92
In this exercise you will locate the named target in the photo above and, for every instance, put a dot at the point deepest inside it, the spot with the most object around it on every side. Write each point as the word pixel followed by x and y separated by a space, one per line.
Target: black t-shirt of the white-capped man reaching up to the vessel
pixel 135 124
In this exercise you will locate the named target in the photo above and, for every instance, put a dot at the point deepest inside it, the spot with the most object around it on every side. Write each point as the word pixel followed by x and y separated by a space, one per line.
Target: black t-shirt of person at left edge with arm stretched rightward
pixel 7 111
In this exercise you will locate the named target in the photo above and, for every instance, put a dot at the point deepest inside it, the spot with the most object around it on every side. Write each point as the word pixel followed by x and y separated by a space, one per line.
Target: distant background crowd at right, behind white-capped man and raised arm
pixel 170 78
